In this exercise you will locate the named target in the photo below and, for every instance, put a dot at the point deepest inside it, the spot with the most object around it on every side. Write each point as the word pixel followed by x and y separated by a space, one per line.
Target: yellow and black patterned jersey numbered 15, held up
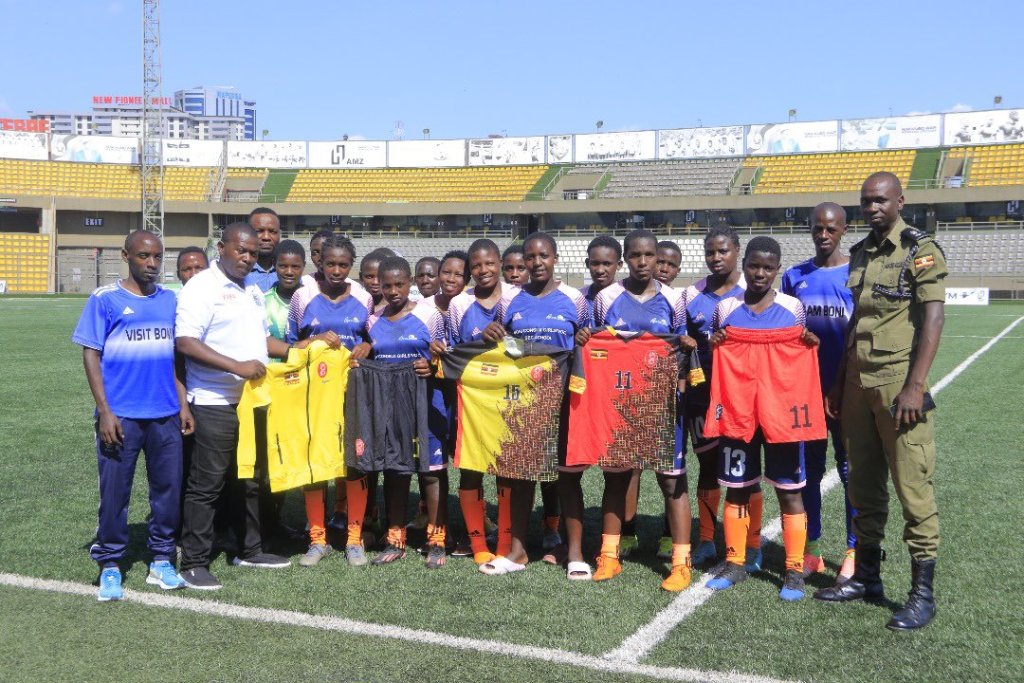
pixel 510 407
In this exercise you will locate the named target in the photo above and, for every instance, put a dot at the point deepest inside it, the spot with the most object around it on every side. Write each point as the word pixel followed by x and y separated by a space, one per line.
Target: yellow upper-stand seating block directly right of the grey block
pixel 825 173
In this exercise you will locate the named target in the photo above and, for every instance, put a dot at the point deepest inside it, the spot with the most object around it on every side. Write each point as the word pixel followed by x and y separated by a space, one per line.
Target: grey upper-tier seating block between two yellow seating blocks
pixel 682 179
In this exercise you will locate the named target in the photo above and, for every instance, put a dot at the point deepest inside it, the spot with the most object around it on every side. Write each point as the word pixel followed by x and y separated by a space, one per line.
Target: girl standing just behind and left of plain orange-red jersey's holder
pixel 701 298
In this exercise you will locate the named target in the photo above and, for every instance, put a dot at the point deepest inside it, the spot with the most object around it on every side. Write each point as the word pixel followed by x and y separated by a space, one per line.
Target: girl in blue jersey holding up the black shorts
pixel 401 333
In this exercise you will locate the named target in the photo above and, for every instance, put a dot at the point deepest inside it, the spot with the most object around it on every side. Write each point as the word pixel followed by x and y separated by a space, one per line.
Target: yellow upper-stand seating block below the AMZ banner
pixel 506 184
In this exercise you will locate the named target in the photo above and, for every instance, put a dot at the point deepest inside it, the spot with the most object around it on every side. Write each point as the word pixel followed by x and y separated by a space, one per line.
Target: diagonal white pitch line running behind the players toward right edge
pixel 652 634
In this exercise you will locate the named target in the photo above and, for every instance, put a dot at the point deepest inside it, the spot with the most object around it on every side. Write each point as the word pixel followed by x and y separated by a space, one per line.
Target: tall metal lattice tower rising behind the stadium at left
pixel 152 161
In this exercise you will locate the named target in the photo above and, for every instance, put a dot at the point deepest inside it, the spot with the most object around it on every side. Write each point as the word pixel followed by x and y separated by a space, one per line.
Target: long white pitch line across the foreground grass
pixel 325 623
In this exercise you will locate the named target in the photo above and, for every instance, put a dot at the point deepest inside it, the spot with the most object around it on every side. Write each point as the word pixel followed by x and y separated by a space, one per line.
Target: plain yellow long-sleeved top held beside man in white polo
pixel 296 414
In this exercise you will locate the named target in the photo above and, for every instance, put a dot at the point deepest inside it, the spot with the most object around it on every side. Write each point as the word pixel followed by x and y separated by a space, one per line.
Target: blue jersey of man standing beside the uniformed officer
pixel 828 305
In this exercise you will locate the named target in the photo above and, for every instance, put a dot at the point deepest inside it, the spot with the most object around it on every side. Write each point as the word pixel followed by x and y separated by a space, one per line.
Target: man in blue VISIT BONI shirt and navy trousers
pixel 127 336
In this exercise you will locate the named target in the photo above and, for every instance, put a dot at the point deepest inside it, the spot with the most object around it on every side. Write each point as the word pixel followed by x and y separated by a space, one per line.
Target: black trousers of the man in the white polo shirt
pixel 215 465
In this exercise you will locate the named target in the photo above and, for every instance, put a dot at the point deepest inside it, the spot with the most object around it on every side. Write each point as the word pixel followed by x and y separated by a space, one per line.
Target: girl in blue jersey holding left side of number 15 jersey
pixel 470 315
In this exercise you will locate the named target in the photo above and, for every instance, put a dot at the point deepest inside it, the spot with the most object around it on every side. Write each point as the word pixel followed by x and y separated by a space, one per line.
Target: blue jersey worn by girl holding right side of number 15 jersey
pixel 552 320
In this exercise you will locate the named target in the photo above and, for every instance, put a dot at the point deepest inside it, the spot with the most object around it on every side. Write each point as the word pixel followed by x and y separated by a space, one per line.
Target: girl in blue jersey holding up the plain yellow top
pixel 336 313
